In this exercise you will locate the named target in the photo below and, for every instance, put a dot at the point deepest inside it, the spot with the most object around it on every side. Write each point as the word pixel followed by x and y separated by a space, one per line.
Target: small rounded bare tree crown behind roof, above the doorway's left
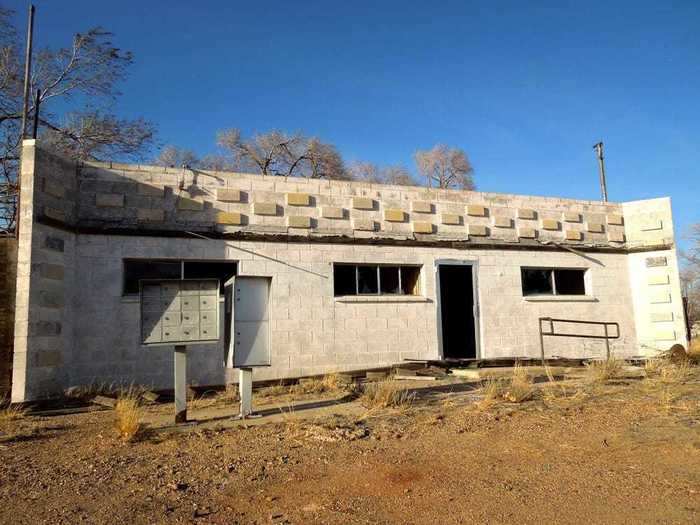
pixel 445 167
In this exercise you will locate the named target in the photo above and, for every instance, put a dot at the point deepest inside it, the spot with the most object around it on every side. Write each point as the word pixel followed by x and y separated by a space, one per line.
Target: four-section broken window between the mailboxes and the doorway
pixel 365 279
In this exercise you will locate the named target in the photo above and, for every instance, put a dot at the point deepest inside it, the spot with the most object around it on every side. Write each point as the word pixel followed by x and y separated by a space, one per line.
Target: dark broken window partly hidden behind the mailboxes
pixel 137 269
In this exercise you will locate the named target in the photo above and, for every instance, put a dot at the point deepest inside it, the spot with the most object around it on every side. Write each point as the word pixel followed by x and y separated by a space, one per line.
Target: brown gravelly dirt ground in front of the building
pixel 624 452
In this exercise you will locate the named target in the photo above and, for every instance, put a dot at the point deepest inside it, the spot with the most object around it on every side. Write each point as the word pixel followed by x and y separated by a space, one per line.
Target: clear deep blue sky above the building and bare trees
pixel 525 88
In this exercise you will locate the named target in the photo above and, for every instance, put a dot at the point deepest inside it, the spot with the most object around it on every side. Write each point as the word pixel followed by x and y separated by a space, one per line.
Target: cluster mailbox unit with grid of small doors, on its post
pixel 179 312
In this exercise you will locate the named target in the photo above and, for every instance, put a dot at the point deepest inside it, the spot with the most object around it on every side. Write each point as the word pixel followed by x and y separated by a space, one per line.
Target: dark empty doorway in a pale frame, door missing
pixel 457 311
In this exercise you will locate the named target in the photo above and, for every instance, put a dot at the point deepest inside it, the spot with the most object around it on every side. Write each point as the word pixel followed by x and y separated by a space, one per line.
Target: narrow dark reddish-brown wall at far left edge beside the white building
pixel 8 277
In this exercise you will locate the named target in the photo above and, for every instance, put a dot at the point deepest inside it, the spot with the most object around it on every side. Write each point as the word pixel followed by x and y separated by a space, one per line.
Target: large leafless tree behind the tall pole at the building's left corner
pixel 78 85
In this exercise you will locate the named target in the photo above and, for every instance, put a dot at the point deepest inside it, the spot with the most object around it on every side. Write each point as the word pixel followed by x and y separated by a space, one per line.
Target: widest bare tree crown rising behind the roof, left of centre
pixel 279 153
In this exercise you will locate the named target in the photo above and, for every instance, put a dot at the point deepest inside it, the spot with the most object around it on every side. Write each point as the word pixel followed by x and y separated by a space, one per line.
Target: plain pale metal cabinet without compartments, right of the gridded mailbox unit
pixel 251 325
